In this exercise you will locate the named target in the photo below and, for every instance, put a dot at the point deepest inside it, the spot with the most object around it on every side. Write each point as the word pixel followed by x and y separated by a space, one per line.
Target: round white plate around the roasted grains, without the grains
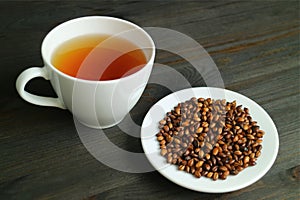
pixel 245 178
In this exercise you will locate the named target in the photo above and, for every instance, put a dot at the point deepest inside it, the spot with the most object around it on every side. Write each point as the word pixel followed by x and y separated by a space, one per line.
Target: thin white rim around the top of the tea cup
pixel 48 62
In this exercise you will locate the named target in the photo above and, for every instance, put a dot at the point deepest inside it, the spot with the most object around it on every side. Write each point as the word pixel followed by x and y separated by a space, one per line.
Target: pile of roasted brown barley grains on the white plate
pixel 211 138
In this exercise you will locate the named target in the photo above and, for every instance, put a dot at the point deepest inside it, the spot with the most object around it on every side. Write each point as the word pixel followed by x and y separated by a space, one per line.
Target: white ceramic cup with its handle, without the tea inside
pixel 96 104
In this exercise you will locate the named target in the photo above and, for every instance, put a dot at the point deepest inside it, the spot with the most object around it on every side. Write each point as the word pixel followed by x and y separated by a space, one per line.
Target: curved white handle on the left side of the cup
pixel 26 76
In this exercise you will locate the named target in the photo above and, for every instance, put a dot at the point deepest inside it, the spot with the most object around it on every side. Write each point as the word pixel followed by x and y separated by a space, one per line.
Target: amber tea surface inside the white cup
pixel 98 57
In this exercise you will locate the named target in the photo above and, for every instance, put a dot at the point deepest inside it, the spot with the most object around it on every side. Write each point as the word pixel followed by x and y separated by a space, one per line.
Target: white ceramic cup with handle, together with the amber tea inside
pixel 98 66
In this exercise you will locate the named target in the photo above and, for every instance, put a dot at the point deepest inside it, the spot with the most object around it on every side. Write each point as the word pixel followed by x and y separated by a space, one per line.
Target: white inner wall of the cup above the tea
pixel 96 25
